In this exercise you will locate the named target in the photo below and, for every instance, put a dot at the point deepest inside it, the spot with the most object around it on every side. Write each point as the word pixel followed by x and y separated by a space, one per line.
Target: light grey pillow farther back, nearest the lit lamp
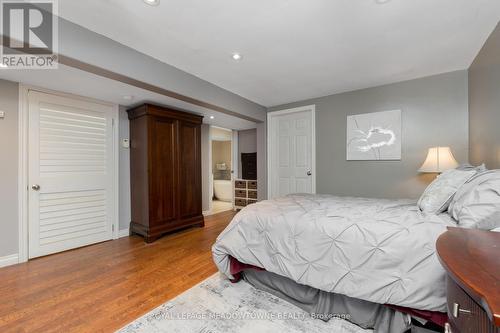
pixel 438 194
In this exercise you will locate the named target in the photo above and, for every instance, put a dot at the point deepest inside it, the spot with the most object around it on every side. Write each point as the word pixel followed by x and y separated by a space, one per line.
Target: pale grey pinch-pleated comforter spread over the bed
pixel 376 250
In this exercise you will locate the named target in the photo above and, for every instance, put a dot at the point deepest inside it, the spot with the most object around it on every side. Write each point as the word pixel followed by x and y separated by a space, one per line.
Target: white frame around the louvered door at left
pixel 23 159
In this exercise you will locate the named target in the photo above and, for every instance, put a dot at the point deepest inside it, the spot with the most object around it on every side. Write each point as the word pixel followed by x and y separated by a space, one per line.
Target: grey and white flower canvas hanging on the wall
pixel 374 136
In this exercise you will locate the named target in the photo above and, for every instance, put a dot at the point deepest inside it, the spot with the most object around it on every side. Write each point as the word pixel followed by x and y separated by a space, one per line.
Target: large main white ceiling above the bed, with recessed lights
pixel 297 49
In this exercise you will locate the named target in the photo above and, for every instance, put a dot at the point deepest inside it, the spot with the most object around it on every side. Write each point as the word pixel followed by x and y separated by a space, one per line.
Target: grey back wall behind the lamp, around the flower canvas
pixel 435 113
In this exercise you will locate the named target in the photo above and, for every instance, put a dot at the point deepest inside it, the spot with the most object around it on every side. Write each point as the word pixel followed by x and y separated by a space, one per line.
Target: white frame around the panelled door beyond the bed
pixel 271 116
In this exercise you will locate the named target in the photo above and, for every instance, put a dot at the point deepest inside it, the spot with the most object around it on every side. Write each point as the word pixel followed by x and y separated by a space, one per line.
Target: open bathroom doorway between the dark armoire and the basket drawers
pixel 222 169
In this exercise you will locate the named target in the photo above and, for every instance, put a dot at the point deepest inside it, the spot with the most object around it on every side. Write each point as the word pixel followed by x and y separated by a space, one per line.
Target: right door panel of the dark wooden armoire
pixel 189 170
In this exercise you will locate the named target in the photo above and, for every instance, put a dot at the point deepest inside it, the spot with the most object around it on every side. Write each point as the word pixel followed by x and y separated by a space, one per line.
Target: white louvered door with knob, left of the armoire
pixel 71 173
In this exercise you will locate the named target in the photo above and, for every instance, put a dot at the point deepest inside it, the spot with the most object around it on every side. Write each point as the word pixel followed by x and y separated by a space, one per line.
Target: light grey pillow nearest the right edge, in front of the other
pixel 477 203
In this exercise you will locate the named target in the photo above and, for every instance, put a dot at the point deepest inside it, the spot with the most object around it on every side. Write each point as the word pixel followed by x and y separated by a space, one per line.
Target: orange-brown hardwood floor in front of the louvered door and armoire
pixel 102 287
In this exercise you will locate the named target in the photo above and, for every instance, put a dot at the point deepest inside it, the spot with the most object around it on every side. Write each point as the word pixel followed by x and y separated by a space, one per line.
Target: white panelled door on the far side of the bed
pixel 291 151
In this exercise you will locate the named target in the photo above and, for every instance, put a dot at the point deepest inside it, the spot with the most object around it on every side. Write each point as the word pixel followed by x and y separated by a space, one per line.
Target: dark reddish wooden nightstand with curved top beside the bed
pixel 472 261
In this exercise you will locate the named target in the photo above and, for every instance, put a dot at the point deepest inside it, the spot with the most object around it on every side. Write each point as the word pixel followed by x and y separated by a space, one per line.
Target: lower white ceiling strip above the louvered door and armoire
pixel 77 82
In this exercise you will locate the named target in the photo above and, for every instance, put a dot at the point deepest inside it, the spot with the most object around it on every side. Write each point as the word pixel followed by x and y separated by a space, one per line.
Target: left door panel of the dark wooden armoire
pixel 162 180
